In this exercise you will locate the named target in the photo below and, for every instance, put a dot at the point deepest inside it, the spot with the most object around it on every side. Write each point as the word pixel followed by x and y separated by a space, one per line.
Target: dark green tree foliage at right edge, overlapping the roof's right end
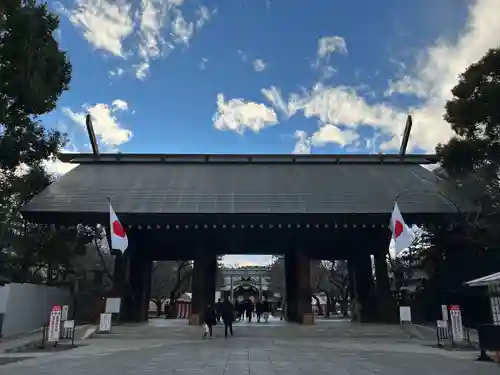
pixel 472 156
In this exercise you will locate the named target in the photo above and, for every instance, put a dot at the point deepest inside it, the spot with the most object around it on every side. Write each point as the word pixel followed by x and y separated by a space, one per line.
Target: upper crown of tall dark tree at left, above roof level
pixel 33 75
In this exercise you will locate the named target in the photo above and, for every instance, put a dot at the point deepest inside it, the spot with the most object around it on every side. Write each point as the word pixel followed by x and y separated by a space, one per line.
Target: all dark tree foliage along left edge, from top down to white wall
pixel 33 75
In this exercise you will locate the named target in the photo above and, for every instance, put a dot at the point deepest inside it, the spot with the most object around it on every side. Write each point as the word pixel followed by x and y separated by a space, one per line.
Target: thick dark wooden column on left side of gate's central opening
pixel 204 275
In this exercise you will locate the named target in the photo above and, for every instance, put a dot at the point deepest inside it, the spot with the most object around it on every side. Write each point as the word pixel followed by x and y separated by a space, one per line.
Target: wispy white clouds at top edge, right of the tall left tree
pixel 149 32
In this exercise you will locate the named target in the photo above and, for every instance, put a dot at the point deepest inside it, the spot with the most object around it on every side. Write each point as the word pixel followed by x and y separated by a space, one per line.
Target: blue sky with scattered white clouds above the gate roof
pixel 265 76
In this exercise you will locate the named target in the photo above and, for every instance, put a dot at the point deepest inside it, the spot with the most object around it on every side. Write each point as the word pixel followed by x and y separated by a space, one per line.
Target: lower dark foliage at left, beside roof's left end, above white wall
pixel 32 252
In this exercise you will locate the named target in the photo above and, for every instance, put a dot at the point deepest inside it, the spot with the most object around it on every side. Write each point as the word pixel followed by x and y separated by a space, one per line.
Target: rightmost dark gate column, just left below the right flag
pixel 386 308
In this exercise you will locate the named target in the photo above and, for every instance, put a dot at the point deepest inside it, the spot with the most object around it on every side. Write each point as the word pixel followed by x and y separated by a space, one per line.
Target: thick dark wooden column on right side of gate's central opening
pixel 298 284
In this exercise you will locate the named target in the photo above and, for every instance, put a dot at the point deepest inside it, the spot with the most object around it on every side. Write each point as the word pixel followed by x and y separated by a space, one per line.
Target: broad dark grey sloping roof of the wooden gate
pixel 245 188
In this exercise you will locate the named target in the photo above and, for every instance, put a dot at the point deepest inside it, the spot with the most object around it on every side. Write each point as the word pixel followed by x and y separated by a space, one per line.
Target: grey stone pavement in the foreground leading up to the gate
pixel 172 347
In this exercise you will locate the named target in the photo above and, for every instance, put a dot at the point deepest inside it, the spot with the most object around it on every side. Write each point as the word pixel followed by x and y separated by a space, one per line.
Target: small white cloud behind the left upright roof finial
pixel 107 128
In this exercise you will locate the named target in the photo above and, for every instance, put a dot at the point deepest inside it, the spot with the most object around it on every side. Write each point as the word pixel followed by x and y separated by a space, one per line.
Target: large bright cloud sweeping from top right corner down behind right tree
pixel 438 67
